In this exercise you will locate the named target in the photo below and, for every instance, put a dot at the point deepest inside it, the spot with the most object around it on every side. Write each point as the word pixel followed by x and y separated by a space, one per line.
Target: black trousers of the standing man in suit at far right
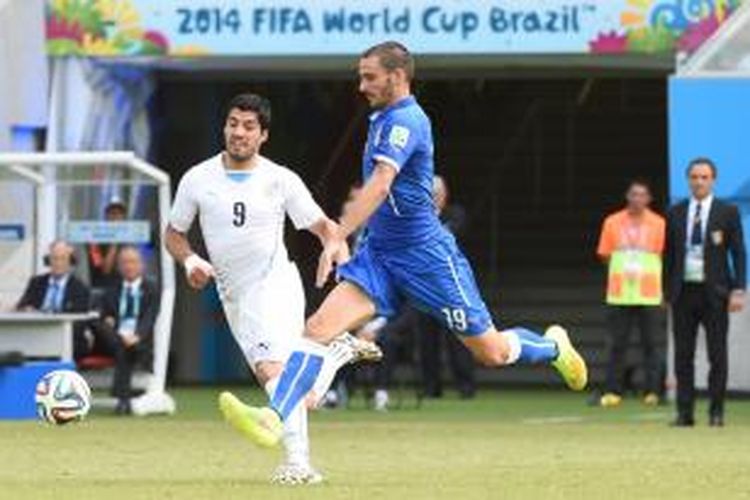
pixel 696 306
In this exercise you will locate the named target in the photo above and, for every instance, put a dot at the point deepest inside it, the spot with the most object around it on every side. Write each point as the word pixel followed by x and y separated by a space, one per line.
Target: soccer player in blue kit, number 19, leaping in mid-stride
pixel 407 256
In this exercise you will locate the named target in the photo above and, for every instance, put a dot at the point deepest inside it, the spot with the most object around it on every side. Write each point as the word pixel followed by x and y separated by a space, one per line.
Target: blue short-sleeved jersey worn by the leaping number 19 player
pixel 401 136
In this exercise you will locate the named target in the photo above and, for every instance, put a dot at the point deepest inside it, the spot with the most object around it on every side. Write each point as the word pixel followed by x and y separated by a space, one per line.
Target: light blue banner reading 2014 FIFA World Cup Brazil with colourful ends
pixel 342 27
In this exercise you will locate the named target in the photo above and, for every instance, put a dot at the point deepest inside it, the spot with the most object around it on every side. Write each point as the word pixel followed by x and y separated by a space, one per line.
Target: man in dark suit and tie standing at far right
pixel 703 235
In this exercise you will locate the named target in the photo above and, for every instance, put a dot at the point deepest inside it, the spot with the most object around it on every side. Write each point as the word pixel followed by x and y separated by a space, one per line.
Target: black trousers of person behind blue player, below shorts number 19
pixel 432 337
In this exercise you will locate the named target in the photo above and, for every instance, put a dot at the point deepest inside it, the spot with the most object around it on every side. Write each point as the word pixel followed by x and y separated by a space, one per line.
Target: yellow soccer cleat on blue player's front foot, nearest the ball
pixel 262 426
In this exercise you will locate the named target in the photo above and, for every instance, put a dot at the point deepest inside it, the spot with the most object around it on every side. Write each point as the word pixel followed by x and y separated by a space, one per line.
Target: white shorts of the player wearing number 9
pixel 269 315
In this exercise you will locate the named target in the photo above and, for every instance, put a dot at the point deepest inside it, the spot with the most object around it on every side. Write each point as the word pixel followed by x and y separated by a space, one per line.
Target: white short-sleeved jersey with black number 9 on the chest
pixel 243 221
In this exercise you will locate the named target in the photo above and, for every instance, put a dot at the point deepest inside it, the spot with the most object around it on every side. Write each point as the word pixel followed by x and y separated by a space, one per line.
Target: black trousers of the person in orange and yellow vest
pixel 622 320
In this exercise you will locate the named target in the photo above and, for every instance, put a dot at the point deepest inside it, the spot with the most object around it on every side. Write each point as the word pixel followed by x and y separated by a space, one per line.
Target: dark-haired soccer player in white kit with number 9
pixel 241 199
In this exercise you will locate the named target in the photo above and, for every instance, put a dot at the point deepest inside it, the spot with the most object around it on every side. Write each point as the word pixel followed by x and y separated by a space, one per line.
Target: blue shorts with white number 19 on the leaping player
pixel 435 278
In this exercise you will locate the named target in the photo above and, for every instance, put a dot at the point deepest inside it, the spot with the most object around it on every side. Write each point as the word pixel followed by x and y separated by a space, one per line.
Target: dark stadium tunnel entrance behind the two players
pixel 536 158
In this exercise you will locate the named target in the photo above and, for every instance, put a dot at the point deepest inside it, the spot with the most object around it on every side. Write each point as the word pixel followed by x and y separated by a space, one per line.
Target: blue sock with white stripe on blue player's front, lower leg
pixel 300 372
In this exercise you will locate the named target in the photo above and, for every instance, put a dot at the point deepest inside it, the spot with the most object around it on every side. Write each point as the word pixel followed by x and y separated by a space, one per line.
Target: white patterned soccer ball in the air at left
pixel 62 396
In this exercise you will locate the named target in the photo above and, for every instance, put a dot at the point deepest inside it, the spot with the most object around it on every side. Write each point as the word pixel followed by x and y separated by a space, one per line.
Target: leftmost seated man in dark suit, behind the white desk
pixel 60 291
